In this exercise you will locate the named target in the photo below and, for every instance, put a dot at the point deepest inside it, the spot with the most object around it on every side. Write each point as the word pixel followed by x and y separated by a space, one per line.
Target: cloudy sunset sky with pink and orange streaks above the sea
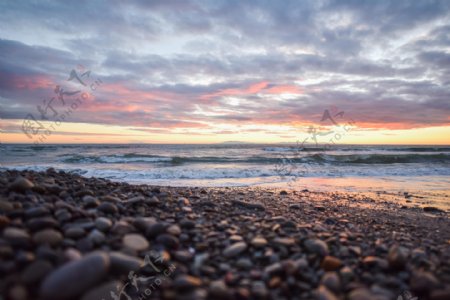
pixel 175 71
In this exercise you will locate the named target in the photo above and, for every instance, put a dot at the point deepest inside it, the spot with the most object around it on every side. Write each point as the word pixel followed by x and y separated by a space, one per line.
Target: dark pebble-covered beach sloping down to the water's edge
pixel 224 243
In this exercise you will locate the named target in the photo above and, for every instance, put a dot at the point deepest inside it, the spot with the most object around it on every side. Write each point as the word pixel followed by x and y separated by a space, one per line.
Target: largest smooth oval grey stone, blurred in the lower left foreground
pixel 75 278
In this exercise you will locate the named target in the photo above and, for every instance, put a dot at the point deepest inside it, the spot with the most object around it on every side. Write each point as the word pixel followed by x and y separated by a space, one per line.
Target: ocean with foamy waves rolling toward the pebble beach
pixel 341 167
